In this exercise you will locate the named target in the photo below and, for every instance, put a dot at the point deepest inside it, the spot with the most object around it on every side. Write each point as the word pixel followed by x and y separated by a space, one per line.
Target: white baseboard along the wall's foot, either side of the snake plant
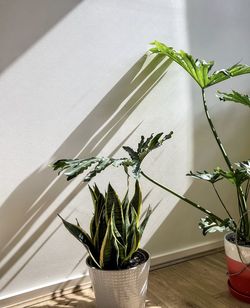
pixel 80 283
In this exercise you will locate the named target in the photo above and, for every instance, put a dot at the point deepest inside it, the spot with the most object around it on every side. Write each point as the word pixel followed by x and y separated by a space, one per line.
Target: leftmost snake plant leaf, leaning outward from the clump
pixel 81 236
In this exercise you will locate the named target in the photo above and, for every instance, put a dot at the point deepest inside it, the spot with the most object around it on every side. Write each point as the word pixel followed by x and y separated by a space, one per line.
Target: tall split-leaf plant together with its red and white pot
pixel 237 242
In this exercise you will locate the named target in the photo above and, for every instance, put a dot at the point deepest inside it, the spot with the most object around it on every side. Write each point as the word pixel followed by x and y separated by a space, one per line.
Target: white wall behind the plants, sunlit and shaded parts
pixel 67 82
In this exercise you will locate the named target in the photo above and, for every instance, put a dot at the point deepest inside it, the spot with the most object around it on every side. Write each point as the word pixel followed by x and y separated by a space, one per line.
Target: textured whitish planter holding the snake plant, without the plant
pixel 121 288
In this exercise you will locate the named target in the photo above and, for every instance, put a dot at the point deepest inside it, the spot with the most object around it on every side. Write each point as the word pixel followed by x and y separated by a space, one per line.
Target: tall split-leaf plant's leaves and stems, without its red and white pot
pixel 238 174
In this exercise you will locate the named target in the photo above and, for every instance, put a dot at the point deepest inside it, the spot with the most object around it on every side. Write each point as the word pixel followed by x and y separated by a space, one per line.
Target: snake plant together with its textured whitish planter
pixel 118 268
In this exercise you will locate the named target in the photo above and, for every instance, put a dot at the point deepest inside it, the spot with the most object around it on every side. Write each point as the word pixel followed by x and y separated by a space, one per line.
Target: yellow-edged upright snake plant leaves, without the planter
pixel 115 228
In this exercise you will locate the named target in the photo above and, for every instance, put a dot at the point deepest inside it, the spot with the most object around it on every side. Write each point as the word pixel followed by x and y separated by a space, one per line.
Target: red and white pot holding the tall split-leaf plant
pixel 238 272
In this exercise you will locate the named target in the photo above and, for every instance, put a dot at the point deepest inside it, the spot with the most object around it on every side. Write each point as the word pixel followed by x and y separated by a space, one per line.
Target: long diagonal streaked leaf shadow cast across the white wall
pixel 37 192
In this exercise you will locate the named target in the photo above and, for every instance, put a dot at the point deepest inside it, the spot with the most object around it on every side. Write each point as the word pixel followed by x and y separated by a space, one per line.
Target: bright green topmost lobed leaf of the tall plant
pixel 199 69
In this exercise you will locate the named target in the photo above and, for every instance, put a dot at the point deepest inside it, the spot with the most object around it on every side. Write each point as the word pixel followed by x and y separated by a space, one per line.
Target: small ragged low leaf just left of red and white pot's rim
pixel 209 224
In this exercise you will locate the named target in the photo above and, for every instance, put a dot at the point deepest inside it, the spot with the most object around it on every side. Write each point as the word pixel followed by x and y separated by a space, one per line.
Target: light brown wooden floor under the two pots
pixel 197 283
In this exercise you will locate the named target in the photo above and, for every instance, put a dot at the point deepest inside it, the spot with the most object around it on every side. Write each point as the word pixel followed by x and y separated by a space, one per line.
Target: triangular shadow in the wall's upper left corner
pixel 32 20
